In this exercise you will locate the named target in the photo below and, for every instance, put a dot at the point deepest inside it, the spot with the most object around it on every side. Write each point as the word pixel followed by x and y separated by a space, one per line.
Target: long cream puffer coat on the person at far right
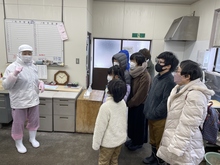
pixel 182 142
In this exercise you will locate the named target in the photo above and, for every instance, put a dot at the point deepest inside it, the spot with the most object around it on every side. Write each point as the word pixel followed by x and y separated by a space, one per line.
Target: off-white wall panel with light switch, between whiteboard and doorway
pixel 75 46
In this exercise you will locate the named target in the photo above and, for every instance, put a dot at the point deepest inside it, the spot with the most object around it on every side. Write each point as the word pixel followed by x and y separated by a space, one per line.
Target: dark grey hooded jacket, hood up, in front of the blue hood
pixel 122 59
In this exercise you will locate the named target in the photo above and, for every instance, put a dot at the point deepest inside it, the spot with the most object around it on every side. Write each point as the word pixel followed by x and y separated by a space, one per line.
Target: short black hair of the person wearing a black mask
pixel 169 59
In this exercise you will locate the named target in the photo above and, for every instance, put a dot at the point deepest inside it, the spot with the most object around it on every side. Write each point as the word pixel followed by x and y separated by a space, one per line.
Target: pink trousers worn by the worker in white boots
pixel 20 116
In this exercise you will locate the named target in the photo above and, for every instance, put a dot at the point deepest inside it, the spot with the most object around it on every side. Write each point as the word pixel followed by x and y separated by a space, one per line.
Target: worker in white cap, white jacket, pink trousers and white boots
pixel 22 82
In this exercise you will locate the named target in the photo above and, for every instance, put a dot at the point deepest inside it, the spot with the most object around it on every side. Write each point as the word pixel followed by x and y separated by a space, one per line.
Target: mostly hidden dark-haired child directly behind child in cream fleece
pixel 115 72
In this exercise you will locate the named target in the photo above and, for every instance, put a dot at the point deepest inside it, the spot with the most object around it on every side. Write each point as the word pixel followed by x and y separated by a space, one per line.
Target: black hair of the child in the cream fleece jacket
pixel 117 88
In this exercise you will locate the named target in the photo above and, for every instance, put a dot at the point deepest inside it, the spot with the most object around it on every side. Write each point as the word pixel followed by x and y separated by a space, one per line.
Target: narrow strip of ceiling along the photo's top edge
pixel 186 2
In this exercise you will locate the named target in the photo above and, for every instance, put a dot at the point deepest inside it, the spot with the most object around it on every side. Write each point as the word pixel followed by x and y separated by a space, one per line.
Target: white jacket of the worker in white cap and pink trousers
pixel 23 89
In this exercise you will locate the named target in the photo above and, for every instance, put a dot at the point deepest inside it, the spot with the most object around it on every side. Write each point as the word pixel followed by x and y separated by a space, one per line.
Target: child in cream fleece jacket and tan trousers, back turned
pixel 111 124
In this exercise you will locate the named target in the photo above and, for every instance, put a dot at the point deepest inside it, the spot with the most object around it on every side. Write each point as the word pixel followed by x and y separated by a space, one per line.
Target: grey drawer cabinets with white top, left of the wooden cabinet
pixel 57 111
